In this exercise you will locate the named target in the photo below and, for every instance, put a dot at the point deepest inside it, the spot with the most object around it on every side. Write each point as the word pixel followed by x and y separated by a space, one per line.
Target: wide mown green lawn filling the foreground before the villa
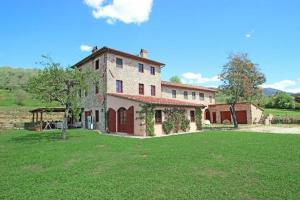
pixel 209 165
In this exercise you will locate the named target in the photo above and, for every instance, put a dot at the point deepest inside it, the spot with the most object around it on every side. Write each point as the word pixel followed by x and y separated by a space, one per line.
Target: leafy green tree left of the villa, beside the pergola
pixel 62 85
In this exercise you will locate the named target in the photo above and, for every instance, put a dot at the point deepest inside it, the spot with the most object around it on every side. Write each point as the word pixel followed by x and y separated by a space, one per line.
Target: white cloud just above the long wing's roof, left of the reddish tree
pixel 197 78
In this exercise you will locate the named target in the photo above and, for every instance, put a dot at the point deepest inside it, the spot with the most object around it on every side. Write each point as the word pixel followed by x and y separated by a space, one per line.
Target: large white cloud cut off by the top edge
pixel 127 11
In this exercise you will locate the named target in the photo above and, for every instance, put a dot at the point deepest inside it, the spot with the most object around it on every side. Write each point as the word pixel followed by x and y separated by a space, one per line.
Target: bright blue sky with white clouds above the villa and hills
pixel 192 37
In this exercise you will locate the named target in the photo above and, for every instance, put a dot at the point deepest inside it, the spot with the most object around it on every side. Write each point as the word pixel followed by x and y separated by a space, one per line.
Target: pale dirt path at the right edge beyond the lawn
pixel 274 129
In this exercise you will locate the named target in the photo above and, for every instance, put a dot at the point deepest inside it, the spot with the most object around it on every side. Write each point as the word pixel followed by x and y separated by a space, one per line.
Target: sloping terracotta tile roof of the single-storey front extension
pixel 156 100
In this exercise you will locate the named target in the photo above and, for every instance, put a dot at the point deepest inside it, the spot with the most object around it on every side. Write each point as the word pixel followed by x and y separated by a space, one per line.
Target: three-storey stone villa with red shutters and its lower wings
pixel 128 80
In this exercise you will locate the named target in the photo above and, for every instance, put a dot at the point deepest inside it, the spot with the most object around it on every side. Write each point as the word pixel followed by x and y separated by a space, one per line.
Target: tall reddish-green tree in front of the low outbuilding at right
pixel 241 81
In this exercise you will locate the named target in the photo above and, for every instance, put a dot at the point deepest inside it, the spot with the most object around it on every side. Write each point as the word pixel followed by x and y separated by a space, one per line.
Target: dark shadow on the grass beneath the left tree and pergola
pixel 34 137
